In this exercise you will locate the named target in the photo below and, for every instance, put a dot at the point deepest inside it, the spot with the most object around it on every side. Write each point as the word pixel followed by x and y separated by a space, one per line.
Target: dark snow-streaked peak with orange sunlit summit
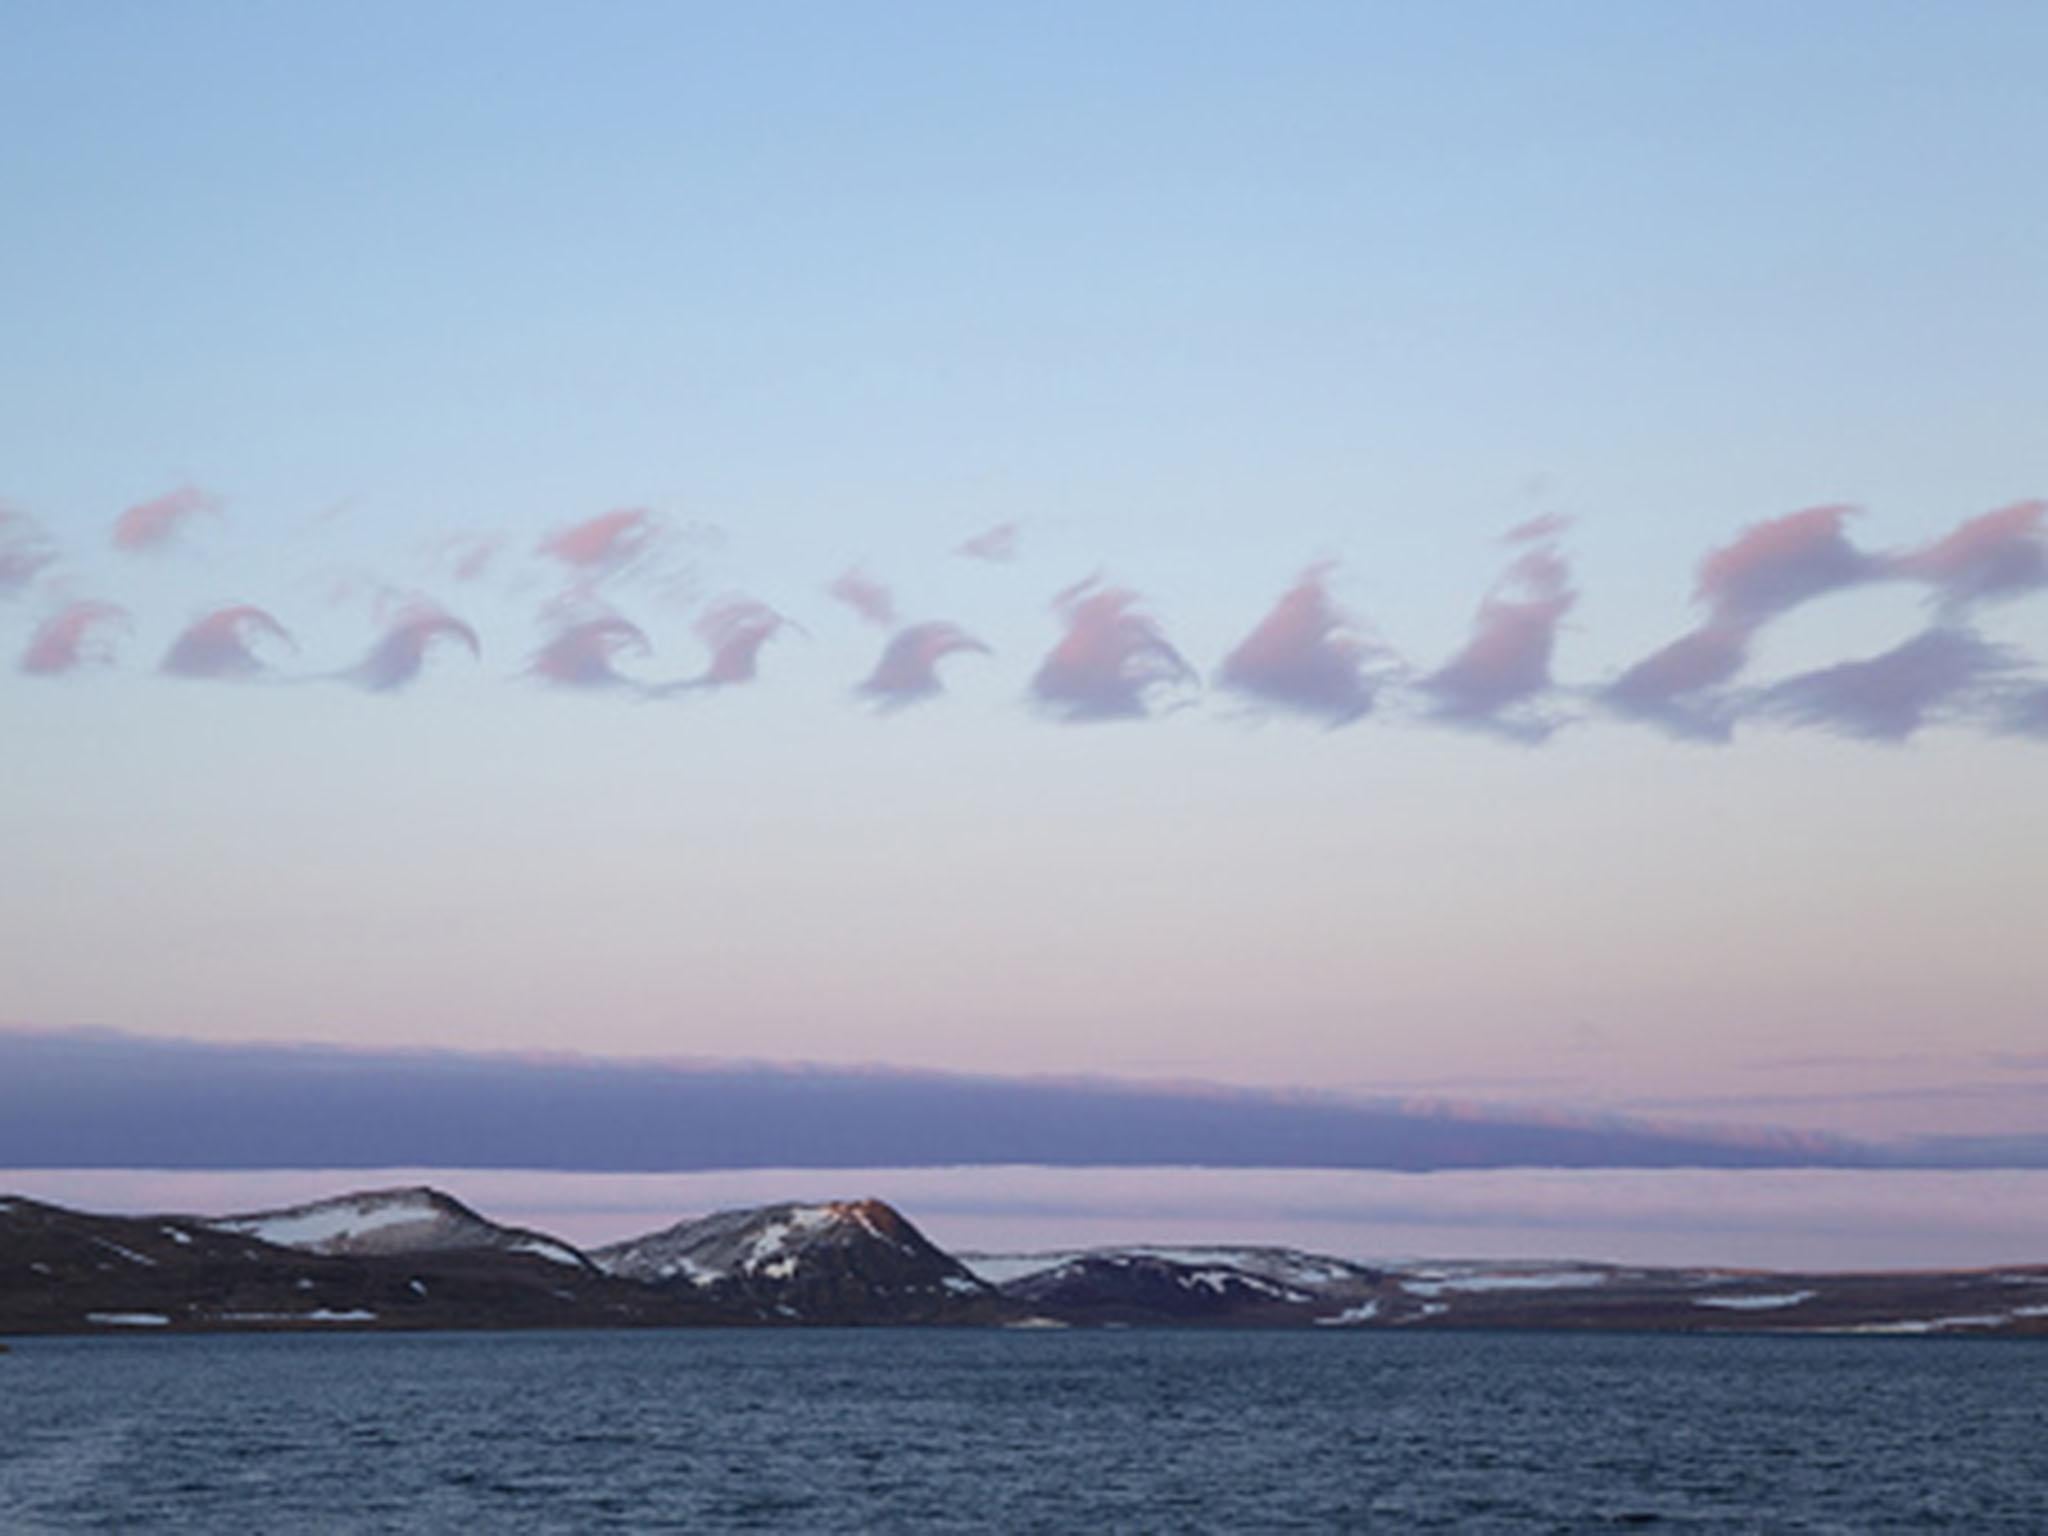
pixel 841 1263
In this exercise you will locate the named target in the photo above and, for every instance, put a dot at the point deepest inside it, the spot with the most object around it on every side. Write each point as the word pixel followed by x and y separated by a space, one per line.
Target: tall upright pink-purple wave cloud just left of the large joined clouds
pixel 1508 658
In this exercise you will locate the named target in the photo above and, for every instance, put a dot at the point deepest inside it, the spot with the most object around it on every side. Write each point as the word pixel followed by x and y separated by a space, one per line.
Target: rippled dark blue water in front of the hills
pixel 1056 1433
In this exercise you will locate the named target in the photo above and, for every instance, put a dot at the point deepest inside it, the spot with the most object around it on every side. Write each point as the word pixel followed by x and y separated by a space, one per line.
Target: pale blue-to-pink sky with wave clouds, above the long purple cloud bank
pixel 1476 554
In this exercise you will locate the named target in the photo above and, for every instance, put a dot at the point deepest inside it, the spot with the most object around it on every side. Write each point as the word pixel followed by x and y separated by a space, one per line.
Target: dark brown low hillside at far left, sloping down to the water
pixel 77 1273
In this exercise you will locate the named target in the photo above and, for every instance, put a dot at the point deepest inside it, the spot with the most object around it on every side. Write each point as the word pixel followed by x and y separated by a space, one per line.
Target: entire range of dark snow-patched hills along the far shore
pixel 423 1261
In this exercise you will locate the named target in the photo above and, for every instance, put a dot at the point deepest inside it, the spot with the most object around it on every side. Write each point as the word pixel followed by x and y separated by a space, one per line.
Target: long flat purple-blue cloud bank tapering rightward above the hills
pixel 110 1101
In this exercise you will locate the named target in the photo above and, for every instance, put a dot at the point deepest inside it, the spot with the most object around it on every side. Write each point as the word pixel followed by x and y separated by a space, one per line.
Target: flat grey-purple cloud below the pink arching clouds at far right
pixel 1893 695
